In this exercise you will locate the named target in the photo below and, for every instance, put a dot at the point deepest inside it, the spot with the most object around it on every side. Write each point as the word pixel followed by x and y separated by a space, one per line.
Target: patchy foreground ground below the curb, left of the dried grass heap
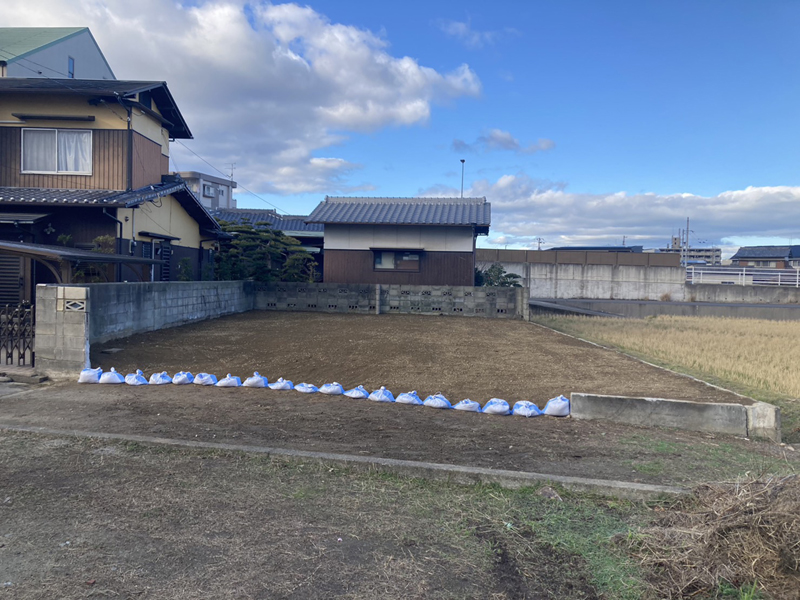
pixel 87 519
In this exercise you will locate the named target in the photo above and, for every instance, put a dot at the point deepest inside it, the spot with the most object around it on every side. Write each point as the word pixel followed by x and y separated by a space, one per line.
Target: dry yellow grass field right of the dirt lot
pixel 754 357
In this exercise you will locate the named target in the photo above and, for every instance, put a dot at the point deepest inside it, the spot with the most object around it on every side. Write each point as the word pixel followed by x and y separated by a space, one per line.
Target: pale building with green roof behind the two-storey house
pixel 51 52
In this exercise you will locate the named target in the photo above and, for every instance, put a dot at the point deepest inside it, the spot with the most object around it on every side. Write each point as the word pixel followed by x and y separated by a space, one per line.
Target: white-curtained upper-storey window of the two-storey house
pixel 57 151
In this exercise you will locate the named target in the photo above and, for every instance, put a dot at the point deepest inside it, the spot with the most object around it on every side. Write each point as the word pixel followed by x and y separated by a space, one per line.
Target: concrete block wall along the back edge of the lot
pixel 390 299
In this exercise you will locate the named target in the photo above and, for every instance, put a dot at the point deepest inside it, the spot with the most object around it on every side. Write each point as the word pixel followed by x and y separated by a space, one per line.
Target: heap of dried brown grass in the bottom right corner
pixel 737 533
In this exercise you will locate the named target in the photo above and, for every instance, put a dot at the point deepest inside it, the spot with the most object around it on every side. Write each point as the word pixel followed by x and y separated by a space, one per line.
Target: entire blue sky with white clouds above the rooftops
pixel 581 121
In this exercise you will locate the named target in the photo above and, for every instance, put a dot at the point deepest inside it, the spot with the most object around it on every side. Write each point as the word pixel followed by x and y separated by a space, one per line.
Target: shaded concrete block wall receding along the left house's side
pixel 122 309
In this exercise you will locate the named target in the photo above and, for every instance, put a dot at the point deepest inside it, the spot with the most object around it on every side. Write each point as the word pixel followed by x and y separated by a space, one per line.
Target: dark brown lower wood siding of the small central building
pixel 436 268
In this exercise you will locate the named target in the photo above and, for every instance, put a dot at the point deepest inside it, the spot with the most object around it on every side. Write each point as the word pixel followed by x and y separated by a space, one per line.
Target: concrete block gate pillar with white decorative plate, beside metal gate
pixel 62 330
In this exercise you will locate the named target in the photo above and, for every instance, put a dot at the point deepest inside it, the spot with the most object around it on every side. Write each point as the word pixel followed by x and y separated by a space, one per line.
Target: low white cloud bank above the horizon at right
pixel 524 209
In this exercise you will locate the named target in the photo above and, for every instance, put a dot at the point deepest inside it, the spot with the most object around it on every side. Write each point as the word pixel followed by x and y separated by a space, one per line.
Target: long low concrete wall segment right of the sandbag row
pixel 680 414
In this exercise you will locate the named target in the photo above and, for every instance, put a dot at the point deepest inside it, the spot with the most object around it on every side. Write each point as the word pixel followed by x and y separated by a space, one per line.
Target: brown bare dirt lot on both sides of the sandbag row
pixel 475 358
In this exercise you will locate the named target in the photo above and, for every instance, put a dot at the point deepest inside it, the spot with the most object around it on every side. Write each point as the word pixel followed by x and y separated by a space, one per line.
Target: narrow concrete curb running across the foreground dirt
pixel 407 468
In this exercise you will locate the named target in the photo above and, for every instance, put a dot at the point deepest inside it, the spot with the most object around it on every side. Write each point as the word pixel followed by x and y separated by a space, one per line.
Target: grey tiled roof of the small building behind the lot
pixel 403 211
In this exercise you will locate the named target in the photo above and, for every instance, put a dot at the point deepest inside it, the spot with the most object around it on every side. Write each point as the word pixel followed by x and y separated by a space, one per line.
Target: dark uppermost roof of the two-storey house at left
pixel 108 90
